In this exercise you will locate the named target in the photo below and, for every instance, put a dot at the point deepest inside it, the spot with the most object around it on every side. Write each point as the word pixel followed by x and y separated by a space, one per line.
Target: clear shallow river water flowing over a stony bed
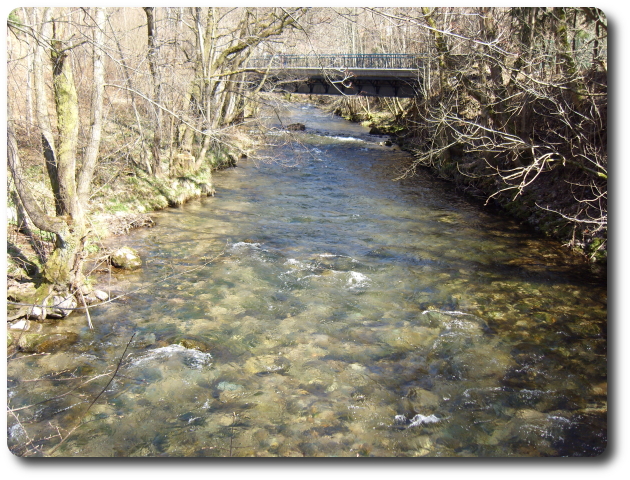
pixel 346 314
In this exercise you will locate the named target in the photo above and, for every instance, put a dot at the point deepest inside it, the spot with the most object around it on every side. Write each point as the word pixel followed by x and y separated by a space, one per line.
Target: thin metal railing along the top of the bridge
pixel 339 61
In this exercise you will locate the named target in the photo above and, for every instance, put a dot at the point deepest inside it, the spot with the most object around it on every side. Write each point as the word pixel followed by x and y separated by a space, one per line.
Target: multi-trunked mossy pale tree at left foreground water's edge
pixel 70 171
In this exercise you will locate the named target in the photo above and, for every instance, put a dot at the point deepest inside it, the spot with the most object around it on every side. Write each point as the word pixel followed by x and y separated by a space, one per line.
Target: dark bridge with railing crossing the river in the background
pixel 380 75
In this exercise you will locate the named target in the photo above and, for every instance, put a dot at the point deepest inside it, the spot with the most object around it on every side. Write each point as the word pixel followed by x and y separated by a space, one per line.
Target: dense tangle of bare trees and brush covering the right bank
pixel 518 111
